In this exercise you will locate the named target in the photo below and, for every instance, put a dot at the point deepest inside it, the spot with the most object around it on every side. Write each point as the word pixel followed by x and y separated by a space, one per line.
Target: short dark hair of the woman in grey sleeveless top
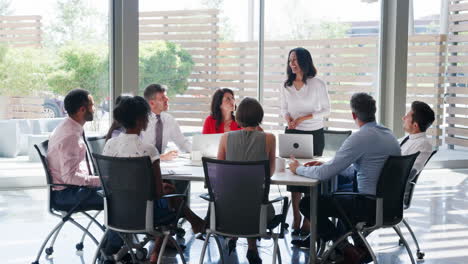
pixel 249 113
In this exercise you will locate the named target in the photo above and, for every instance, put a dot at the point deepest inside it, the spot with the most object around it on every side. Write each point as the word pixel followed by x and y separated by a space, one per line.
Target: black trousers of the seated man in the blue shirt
pixel 356 208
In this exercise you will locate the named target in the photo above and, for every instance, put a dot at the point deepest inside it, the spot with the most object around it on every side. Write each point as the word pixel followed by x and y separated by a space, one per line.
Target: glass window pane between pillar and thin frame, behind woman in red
pixel 195 47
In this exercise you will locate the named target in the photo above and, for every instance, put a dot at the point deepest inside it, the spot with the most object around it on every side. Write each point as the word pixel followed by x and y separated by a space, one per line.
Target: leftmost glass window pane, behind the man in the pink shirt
pixel 48 48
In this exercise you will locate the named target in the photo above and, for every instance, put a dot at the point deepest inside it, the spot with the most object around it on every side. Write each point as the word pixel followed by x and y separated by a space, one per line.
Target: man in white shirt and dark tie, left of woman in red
pixel 162 127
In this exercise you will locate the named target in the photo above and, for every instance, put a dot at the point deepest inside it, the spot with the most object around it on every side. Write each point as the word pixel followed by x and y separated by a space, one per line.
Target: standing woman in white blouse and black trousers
pixel 304 104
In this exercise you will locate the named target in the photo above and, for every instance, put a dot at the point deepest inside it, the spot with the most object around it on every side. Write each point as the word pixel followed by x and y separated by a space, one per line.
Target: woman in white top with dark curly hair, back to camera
pixel 132 114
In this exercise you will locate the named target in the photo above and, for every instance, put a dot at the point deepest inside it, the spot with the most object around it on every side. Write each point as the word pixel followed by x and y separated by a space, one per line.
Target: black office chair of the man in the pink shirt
pixel 61 211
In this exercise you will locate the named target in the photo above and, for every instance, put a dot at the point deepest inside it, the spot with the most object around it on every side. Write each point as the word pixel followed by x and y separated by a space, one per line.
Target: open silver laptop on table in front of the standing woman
pixel 299 145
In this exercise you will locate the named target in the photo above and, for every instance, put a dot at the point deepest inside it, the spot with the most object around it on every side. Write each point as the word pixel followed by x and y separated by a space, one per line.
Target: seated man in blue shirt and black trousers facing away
pixel 363 153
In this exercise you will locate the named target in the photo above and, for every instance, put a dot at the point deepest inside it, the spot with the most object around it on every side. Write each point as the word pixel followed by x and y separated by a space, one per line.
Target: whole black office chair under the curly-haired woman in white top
pixel 129 196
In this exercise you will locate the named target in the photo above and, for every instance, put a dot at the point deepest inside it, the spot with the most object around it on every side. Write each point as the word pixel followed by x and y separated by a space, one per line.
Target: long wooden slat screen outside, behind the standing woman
pixel 347 65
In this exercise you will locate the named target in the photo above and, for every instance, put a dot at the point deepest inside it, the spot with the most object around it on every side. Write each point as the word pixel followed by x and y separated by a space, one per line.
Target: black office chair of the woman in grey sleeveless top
pixel 238 196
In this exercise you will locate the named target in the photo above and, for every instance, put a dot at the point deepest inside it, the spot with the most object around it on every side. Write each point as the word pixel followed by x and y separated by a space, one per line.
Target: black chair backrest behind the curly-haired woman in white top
pixel 129 185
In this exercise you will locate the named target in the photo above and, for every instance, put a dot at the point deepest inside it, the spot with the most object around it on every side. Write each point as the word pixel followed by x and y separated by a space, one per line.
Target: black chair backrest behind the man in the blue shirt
pixel 391 186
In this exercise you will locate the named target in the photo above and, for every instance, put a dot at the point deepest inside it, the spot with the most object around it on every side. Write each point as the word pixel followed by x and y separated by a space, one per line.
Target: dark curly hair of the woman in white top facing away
pixel 130 110
